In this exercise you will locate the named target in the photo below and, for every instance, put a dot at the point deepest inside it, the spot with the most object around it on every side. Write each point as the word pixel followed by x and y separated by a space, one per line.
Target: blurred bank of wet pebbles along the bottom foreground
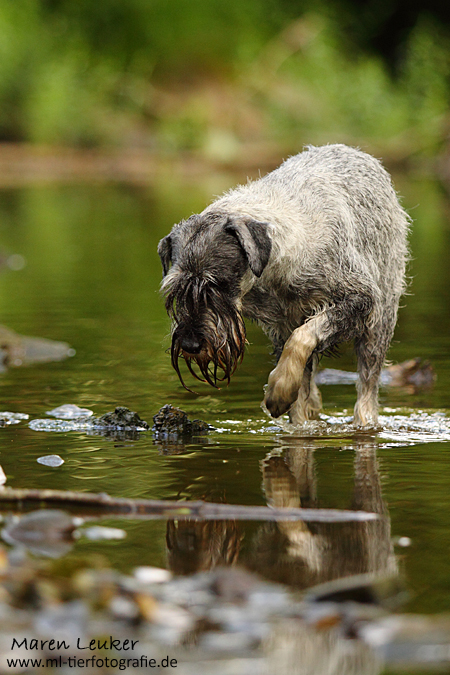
pixel 187 618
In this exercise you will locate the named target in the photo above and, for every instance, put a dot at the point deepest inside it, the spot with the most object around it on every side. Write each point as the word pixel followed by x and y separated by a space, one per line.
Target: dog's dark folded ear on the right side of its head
pixel 254 238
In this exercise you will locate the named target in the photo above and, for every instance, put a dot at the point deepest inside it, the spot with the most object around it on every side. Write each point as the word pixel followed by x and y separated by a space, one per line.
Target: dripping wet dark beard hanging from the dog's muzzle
pixel 199 309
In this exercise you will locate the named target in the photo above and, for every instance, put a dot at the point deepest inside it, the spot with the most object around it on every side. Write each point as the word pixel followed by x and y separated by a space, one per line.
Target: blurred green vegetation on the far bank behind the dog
pixel 226 80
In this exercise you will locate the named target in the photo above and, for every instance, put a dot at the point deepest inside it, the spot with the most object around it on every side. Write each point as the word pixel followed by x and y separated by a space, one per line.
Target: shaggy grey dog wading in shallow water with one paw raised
pixel 315 253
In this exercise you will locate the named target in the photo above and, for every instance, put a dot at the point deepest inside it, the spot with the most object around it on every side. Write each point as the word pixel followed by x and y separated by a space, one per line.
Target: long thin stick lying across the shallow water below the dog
pixel 154 508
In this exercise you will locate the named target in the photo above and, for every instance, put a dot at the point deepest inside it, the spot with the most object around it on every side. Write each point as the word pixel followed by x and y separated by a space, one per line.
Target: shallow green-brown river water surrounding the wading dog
pixel 89 276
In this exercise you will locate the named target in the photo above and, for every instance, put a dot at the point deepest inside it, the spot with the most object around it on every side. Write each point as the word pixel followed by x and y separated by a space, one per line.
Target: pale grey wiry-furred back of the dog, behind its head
pixel 331 202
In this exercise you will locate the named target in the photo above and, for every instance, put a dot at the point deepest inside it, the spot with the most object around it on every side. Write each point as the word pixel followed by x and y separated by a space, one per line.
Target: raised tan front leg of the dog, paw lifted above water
pixel 285 380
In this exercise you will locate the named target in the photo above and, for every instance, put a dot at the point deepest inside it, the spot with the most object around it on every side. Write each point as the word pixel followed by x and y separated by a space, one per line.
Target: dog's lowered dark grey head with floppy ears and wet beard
pixel 204 260
